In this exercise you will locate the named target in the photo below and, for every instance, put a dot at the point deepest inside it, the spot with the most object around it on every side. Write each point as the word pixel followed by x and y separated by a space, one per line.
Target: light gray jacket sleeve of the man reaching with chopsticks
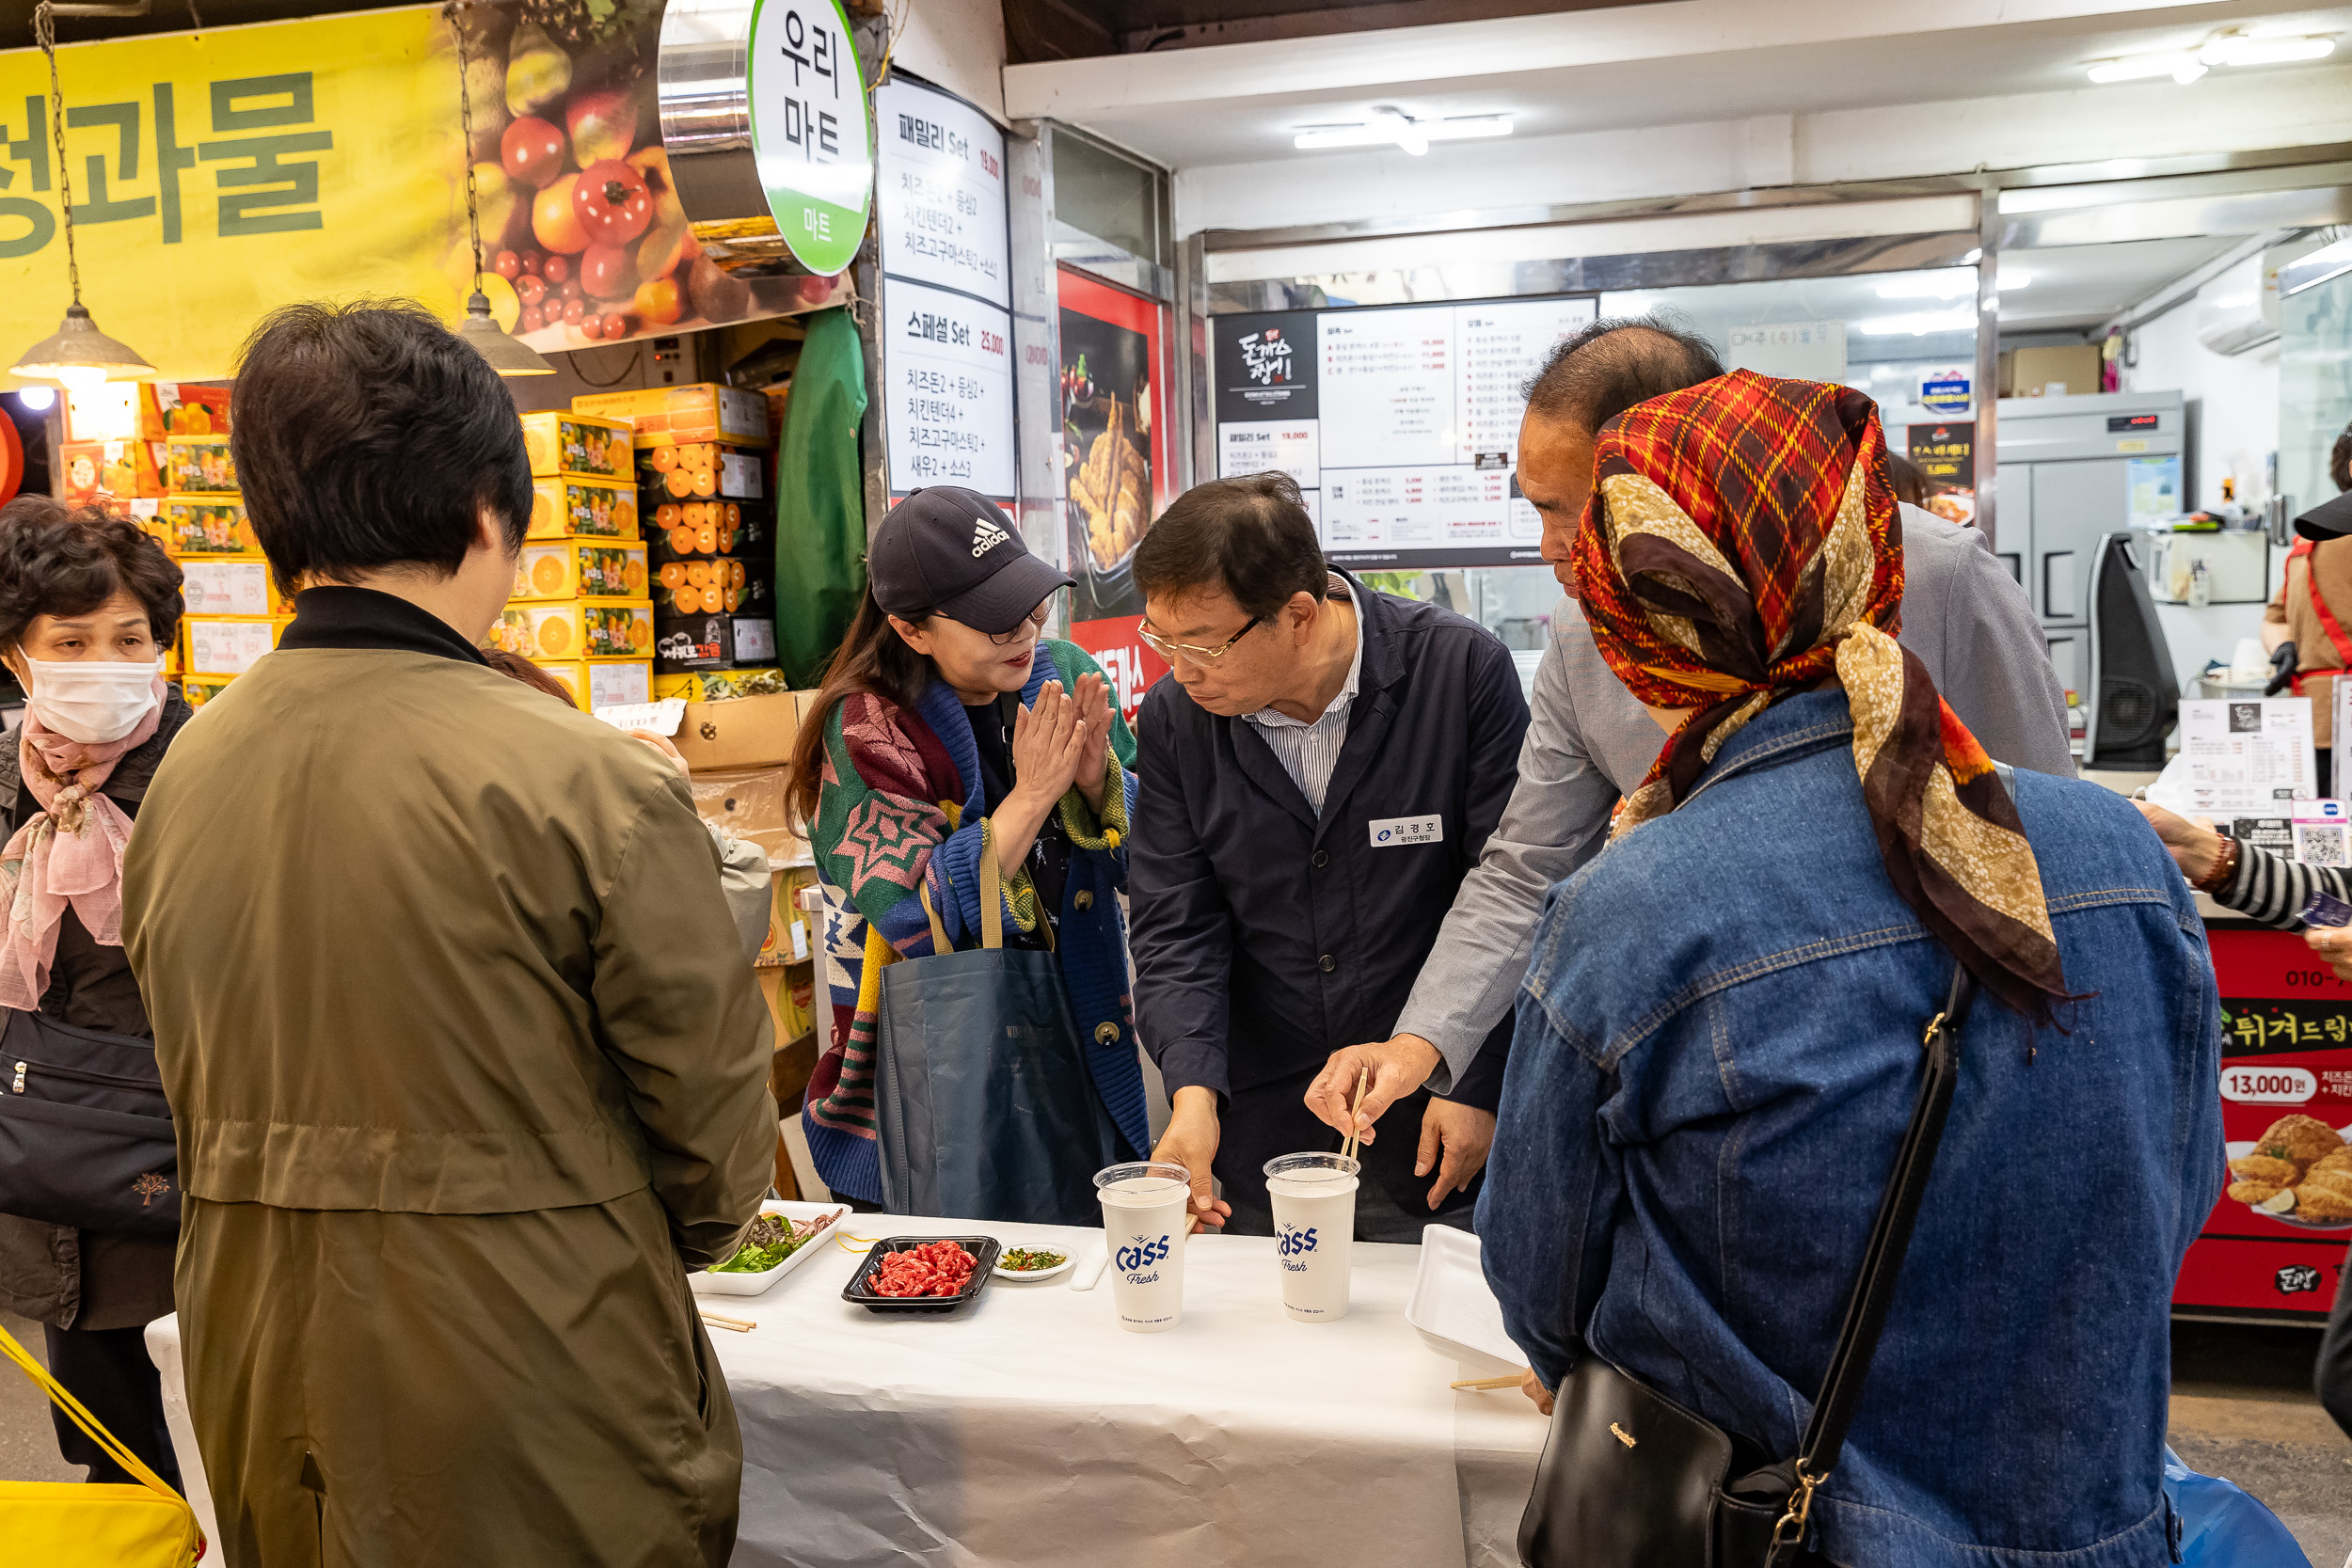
pixel 1556 822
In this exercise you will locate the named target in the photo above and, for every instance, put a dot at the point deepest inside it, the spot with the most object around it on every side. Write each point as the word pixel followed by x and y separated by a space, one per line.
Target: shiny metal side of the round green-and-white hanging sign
pixel 707 128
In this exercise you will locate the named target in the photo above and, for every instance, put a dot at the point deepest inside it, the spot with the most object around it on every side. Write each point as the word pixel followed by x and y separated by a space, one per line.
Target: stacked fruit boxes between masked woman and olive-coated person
pixel 236 612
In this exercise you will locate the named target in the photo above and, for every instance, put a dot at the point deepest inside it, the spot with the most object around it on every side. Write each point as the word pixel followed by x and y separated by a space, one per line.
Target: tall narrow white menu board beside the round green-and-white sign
pixel 947 293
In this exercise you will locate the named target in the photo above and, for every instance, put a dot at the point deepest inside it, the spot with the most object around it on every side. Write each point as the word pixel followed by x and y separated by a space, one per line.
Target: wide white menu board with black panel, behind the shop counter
pixel 1401 424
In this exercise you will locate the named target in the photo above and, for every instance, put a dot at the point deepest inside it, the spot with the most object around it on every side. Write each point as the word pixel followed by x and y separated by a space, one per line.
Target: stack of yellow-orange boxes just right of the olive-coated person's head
pixel 580 605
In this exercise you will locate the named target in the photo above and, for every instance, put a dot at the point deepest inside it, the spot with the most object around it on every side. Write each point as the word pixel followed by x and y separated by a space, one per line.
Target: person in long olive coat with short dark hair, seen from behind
pixel 465 1054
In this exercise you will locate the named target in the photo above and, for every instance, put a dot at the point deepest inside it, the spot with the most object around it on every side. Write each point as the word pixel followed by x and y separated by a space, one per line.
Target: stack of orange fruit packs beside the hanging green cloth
pixel 709 516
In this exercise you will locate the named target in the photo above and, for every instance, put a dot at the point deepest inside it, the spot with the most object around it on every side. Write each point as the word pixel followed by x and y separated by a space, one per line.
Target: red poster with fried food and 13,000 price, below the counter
pixel 2276 1242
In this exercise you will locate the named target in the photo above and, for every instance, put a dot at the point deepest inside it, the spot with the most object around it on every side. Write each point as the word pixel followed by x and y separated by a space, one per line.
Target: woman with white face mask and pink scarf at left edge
pixel 88 603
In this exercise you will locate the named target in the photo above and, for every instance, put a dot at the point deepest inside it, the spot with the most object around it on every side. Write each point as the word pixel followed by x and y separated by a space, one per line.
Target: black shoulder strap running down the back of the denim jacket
pixel 1883 1266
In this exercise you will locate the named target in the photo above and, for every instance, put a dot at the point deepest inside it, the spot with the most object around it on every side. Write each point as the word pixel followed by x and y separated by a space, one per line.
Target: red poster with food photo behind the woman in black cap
pixel 1116 467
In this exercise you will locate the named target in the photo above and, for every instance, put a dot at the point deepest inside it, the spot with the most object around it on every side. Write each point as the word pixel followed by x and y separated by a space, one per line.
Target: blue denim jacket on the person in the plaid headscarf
pixel 1718 1052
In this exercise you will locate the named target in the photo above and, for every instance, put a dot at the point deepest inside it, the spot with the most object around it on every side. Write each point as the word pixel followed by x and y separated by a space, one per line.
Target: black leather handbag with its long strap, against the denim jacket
pixel 1631 1480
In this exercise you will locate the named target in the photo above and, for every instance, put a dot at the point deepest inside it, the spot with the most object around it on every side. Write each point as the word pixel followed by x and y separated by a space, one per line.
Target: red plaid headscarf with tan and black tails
pixel 1742 547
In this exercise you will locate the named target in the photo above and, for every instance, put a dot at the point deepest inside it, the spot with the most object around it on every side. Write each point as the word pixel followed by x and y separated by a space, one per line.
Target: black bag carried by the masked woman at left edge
pixel 86 1132
